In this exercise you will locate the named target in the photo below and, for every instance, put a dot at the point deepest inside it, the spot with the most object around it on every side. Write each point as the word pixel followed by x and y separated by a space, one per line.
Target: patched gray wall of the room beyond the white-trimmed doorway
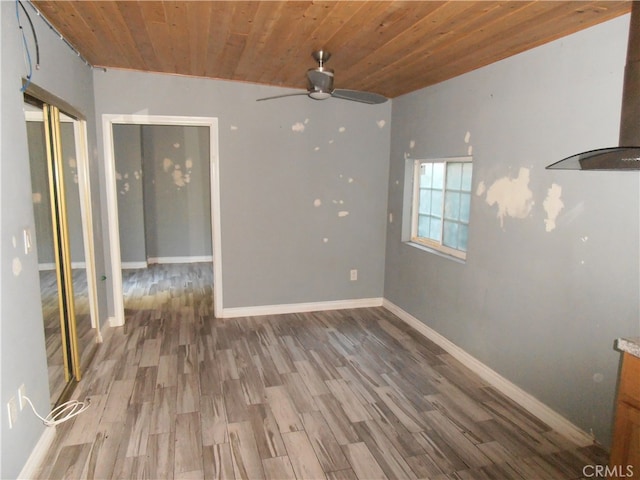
pixel 163 184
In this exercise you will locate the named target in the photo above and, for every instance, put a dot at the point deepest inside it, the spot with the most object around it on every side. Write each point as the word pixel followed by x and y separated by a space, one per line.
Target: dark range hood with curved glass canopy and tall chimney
pixel 627 155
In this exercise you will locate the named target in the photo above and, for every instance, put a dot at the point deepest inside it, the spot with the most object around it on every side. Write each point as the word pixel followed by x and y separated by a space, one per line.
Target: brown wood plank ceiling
pixel 390 47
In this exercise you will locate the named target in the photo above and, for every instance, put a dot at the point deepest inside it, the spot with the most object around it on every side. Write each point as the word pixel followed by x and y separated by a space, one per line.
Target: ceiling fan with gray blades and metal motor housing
pixel 320 85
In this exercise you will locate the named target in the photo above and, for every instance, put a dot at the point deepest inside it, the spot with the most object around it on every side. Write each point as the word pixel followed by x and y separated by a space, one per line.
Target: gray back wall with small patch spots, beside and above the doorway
pixel 278 160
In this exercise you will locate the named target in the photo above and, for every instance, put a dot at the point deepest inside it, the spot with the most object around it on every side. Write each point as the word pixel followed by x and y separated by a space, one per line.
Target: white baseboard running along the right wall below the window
pixel 534 406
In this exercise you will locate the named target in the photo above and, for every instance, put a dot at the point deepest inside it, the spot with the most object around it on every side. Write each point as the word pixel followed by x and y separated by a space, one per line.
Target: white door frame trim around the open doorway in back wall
pixel 108 120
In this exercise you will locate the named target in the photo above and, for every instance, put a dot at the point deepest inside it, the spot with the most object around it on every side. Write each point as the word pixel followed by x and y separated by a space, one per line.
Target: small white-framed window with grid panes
pixel 441 204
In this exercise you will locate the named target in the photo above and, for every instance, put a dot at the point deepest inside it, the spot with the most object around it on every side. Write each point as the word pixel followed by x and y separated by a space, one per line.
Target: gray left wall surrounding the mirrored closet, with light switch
pixel 22 356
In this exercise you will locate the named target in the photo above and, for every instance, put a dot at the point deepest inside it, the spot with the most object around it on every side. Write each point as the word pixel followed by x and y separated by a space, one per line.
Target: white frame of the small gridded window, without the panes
pixel 415 206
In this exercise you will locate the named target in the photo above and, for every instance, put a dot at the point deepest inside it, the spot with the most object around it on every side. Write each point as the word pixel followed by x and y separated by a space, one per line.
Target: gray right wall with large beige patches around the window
pixel 543 294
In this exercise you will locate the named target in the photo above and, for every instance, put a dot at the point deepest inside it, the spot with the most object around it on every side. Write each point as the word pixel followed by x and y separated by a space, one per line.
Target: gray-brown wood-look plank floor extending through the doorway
pixel 348 394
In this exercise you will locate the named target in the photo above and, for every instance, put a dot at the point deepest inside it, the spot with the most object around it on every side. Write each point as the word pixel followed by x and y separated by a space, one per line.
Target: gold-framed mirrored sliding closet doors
pixel 70 336
